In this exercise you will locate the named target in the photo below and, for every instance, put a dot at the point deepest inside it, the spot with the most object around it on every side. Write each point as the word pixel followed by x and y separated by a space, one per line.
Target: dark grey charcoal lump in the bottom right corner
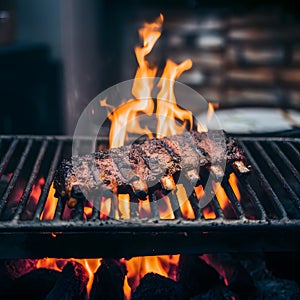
pixel 278 289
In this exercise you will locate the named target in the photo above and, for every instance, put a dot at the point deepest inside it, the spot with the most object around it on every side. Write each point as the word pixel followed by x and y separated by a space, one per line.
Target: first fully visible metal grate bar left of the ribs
pixel 44 195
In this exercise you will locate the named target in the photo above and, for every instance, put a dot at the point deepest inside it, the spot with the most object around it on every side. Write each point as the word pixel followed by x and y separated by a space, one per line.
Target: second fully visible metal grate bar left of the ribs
pixel 31 180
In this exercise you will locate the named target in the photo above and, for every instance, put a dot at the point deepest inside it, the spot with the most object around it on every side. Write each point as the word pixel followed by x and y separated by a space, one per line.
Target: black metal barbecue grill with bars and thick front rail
pixel 267 218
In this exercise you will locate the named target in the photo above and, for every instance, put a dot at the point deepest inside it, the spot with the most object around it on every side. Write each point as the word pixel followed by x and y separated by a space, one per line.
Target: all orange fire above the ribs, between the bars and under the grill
pixel 124 120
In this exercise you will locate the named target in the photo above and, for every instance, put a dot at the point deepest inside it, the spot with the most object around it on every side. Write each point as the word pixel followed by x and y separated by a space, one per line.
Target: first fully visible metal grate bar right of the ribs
pixel 264 182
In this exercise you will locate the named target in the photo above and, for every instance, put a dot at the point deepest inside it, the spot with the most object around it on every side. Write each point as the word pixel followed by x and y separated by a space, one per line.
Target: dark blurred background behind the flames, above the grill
pixel 56 56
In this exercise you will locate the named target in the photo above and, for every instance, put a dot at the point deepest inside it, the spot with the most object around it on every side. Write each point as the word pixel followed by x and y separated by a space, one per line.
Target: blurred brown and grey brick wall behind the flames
pixel 238 59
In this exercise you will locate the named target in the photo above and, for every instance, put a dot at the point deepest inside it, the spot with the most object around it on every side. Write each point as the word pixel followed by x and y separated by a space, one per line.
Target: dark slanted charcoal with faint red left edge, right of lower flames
pixel 235 275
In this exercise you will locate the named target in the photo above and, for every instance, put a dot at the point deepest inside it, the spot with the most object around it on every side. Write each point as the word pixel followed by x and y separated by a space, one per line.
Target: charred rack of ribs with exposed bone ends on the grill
pixel 147 163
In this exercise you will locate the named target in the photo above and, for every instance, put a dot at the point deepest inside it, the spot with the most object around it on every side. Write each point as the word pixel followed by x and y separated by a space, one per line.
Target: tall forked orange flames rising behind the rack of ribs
pixel 171 119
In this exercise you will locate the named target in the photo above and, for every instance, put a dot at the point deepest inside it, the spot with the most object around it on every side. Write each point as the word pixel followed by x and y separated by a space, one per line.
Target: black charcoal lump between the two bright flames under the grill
pixel 109 280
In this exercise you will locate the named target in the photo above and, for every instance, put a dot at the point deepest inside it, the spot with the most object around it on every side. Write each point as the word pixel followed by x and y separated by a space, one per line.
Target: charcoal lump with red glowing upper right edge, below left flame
pixel 71 283
